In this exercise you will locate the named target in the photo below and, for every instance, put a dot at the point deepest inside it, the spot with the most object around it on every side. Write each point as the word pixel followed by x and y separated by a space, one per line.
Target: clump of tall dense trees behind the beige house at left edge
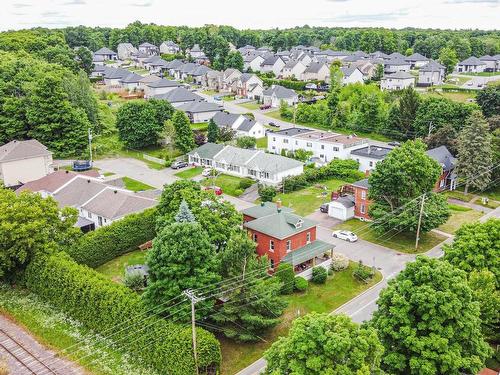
pixel 45 101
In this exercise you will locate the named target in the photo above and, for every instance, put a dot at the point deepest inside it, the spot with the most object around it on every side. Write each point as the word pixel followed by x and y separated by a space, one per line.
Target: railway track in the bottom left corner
pixel 29 363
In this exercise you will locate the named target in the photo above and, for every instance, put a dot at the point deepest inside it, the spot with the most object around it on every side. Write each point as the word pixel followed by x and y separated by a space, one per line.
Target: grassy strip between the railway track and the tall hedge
pixel 57 331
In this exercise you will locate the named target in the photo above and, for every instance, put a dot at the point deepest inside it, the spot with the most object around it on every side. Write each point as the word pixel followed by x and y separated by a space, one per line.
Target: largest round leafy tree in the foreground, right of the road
pixel 429 322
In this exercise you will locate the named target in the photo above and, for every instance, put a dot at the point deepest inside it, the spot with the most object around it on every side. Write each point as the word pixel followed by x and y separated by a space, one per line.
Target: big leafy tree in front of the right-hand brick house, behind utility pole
pixel 396 188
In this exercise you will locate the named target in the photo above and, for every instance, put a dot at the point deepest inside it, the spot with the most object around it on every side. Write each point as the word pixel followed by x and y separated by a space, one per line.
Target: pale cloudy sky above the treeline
pixel 449 14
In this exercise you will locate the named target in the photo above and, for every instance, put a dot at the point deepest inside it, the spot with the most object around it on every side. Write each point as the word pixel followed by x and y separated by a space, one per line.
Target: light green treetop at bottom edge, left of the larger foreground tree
pixel 320 344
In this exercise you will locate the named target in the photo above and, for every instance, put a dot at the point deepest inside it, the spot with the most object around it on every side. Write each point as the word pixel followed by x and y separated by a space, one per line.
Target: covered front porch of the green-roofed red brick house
pixel 304 259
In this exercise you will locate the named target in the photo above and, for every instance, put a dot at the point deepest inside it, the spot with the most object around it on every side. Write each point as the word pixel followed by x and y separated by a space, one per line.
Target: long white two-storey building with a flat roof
pixel 324 145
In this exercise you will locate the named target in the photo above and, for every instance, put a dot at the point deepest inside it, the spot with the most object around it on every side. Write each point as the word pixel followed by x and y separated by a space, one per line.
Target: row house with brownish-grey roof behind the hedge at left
pixel 98 203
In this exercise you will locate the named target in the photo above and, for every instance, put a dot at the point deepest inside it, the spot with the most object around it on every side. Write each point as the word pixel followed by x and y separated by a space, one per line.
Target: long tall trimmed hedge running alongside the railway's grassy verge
pixel 101 305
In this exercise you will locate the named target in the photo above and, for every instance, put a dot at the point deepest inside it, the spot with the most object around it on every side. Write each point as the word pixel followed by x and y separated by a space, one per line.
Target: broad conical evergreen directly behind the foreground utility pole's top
pixel 181 258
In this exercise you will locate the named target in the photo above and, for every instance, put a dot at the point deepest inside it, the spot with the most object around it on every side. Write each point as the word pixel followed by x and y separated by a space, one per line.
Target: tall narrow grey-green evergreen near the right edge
pixel 475 153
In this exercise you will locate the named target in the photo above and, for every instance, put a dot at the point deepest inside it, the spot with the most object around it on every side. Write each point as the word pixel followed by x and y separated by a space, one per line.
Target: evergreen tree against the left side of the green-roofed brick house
pixel 254 303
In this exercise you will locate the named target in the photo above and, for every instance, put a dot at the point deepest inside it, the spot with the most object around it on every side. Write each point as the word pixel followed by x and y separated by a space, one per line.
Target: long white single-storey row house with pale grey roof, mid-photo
pixel 267 168
